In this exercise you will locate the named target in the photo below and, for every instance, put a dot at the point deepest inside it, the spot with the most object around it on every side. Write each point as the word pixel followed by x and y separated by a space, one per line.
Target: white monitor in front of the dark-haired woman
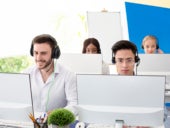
pixel 82 63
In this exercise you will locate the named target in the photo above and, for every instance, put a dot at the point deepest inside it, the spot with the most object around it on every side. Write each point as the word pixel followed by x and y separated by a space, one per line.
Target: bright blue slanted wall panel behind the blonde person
pixel 144 19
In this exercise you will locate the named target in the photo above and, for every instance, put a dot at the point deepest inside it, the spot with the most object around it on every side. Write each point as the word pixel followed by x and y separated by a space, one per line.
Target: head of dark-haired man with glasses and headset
pixel 124 56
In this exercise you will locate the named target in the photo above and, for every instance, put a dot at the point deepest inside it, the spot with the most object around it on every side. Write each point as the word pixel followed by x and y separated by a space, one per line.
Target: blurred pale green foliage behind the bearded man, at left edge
pixel 14 64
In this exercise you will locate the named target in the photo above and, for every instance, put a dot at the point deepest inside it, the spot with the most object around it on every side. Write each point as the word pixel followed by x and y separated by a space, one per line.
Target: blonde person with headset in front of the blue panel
pixel 150 45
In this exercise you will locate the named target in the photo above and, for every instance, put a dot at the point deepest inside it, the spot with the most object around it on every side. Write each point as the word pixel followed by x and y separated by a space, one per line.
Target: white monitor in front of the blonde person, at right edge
pixel 154 64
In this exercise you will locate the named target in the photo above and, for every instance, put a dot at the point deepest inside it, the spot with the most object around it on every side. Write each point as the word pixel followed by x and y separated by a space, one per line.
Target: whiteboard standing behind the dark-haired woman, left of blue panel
pixel 107 28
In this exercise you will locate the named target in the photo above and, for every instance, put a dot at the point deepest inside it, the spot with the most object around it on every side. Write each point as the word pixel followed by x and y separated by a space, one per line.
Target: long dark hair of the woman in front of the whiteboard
pixel 93 41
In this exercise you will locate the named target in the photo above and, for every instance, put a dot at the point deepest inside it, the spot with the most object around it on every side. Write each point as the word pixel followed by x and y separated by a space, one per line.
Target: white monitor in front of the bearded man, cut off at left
pixel 15 97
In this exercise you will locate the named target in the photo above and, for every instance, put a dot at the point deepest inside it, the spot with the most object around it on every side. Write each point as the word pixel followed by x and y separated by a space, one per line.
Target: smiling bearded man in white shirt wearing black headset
pixel 52 85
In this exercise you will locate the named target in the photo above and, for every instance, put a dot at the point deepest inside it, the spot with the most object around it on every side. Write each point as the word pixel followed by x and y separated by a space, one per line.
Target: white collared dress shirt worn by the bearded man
pixel 57 92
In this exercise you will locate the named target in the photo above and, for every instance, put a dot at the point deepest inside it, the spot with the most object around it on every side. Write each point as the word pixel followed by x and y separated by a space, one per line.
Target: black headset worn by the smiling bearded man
pixel 55 51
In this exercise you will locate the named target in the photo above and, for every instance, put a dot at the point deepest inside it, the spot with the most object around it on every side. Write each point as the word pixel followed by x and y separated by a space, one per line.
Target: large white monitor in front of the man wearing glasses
pixel 131 100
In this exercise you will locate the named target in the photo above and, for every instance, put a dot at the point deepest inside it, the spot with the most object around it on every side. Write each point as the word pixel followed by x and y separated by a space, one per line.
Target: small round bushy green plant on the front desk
pixel 61 117
